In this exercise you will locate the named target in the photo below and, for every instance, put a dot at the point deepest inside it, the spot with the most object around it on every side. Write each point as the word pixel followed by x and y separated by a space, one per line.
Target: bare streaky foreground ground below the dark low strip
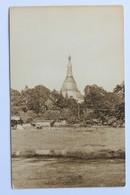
pixel 53 173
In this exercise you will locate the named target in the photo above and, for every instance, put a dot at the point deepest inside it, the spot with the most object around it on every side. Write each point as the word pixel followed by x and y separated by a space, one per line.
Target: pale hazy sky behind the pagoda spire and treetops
pixel 41 38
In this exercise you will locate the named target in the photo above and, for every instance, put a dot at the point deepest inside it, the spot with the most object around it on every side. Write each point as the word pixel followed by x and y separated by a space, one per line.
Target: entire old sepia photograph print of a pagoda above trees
pixel 67 96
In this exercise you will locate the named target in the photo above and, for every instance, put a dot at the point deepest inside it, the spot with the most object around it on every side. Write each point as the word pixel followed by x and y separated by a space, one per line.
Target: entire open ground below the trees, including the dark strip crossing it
pixel 88 157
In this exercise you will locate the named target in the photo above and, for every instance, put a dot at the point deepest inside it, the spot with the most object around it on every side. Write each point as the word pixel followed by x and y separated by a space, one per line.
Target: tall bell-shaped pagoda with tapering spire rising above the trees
pixel 69 88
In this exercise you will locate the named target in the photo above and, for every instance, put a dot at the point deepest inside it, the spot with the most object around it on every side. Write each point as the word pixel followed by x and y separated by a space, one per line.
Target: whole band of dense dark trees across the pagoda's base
pixel 99 106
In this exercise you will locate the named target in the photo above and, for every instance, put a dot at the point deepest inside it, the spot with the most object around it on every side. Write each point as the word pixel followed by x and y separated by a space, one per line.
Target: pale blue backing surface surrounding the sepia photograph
pixel 5 146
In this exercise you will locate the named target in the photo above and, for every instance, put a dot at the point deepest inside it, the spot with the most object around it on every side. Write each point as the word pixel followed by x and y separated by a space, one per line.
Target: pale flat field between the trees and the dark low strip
pixel 69 139
